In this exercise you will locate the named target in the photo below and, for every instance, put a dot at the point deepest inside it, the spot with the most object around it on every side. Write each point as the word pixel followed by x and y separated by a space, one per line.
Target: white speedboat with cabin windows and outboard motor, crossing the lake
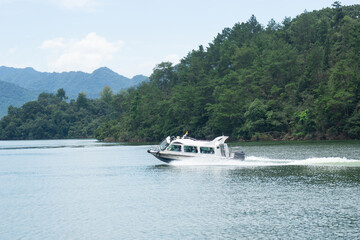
pixel 177 149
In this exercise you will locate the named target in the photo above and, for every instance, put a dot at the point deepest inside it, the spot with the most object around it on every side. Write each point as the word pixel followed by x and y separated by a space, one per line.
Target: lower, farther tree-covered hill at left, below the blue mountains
pixel 51 117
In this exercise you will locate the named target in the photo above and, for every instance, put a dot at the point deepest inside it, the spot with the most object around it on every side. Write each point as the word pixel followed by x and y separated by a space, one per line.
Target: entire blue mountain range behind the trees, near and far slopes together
pixel 19 85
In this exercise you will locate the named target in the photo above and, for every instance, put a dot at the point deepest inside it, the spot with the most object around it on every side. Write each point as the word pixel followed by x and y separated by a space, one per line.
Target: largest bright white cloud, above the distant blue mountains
pixel 85 54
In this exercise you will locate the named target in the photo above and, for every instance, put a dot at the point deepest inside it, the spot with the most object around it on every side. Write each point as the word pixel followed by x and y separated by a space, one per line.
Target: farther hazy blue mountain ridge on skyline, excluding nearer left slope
pixel 71 82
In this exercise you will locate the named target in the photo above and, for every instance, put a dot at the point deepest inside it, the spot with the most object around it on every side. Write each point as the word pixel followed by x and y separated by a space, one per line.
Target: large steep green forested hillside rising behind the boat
pixel 294 80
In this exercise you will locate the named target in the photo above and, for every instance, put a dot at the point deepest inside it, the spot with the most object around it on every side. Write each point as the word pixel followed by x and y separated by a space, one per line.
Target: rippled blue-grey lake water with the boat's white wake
pixel 83 189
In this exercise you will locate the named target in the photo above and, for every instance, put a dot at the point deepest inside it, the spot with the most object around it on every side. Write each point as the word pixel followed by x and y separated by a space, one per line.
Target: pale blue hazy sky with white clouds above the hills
pixel 130 37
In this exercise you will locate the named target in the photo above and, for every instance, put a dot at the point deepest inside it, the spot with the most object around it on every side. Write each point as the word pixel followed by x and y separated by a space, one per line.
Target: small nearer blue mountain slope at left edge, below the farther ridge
pixel 10 94
